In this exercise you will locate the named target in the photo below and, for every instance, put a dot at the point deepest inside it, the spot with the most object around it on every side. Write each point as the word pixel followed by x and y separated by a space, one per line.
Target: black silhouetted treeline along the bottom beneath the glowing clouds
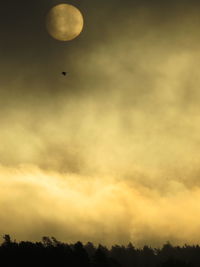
pixel 51 252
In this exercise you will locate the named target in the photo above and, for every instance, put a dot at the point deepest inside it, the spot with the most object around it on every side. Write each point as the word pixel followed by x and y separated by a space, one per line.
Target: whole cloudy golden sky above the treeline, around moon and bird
pixel 110 152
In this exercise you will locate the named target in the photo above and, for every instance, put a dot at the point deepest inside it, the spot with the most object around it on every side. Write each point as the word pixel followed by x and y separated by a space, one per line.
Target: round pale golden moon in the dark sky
pixel 64 22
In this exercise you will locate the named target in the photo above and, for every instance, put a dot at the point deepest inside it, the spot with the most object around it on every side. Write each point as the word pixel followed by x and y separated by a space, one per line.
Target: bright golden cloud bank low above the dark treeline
pixel 100 209
